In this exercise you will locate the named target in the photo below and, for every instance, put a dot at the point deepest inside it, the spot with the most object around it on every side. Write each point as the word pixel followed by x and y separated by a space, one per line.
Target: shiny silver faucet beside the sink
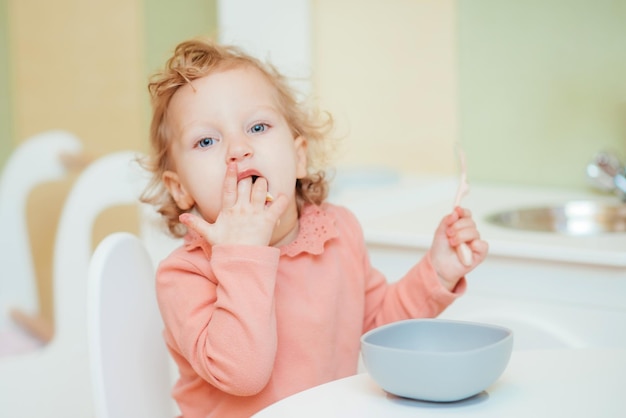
pixel 606 172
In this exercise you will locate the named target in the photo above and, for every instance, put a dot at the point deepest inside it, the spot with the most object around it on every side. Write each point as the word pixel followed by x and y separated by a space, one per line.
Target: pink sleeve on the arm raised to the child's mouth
pixel 220 314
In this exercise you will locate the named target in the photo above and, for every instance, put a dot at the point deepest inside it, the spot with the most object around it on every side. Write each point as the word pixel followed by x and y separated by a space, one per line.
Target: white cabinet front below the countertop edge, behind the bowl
pixel 548 305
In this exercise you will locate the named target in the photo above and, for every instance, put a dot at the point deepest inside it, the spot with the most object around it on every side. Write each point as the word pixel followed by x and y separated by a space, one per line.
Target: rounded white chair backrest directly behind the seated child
pixel 129 361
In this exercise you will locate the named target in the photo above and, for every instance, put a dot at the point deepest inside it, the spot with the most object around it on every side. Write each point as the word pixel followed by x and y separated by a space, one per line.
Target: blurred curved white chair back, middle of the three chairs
pixel 113 179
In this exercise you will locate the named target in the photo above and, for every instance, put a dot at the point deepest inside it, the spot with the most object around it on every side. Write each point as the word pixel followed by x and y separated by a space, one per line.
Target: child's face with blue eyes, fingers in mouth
pixel 232 116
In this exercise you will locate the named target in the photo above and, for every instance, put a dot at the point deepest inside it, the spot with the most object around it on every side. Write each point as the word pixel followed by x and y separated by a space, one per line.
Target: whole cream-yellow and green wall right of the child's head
pixel 531 89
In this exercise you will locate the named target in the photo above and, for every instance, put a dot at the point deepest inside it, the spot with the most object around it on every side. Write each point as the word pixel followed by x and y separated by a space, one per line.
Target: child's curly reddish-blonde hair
pixel 198 58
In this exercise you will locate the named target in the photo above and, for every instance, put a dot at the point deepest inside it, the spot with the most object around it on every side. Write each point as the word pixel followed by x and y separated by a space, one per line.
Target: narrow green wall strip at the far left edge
pixel 6 137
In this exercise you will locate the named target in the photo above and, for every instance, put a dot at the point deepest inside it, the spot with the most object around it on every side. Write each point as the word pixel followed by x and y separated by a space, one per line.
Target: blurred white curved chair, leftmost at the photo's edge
pixel 38 159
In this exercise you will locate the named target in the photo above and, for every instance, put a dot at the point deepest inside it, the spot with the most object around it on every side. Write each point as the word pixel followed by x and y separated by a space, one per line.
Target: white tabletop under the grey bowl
pixel 537 383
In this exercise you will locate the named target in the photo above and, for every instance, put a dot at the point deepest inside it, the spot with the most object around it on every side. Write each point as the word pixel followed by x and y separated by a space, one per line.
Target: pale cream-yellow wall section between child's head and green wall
pixel 387 72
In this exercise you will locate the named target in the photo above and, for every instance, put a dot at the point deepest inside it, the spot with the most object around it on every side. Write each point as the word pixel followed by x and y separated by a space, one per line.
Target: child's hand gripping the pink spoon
pixel 454 229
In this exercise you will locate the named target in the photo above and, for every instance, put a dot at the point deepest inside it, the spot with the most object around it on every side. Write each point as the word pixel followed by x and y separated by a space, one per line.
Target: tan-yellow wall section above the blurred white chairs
pixel 78 65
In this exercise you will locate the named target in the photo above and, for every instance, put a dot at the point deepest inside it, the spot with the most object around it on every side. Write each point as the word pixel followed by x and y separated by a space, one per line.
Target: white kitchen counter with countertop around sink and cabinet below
pixel 554 291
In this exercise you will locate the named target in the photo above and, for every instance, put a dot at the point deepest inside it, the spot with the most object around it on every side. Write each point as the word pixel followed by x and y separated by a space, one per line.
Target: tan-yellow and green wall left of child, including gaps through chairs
pixel 82 67
